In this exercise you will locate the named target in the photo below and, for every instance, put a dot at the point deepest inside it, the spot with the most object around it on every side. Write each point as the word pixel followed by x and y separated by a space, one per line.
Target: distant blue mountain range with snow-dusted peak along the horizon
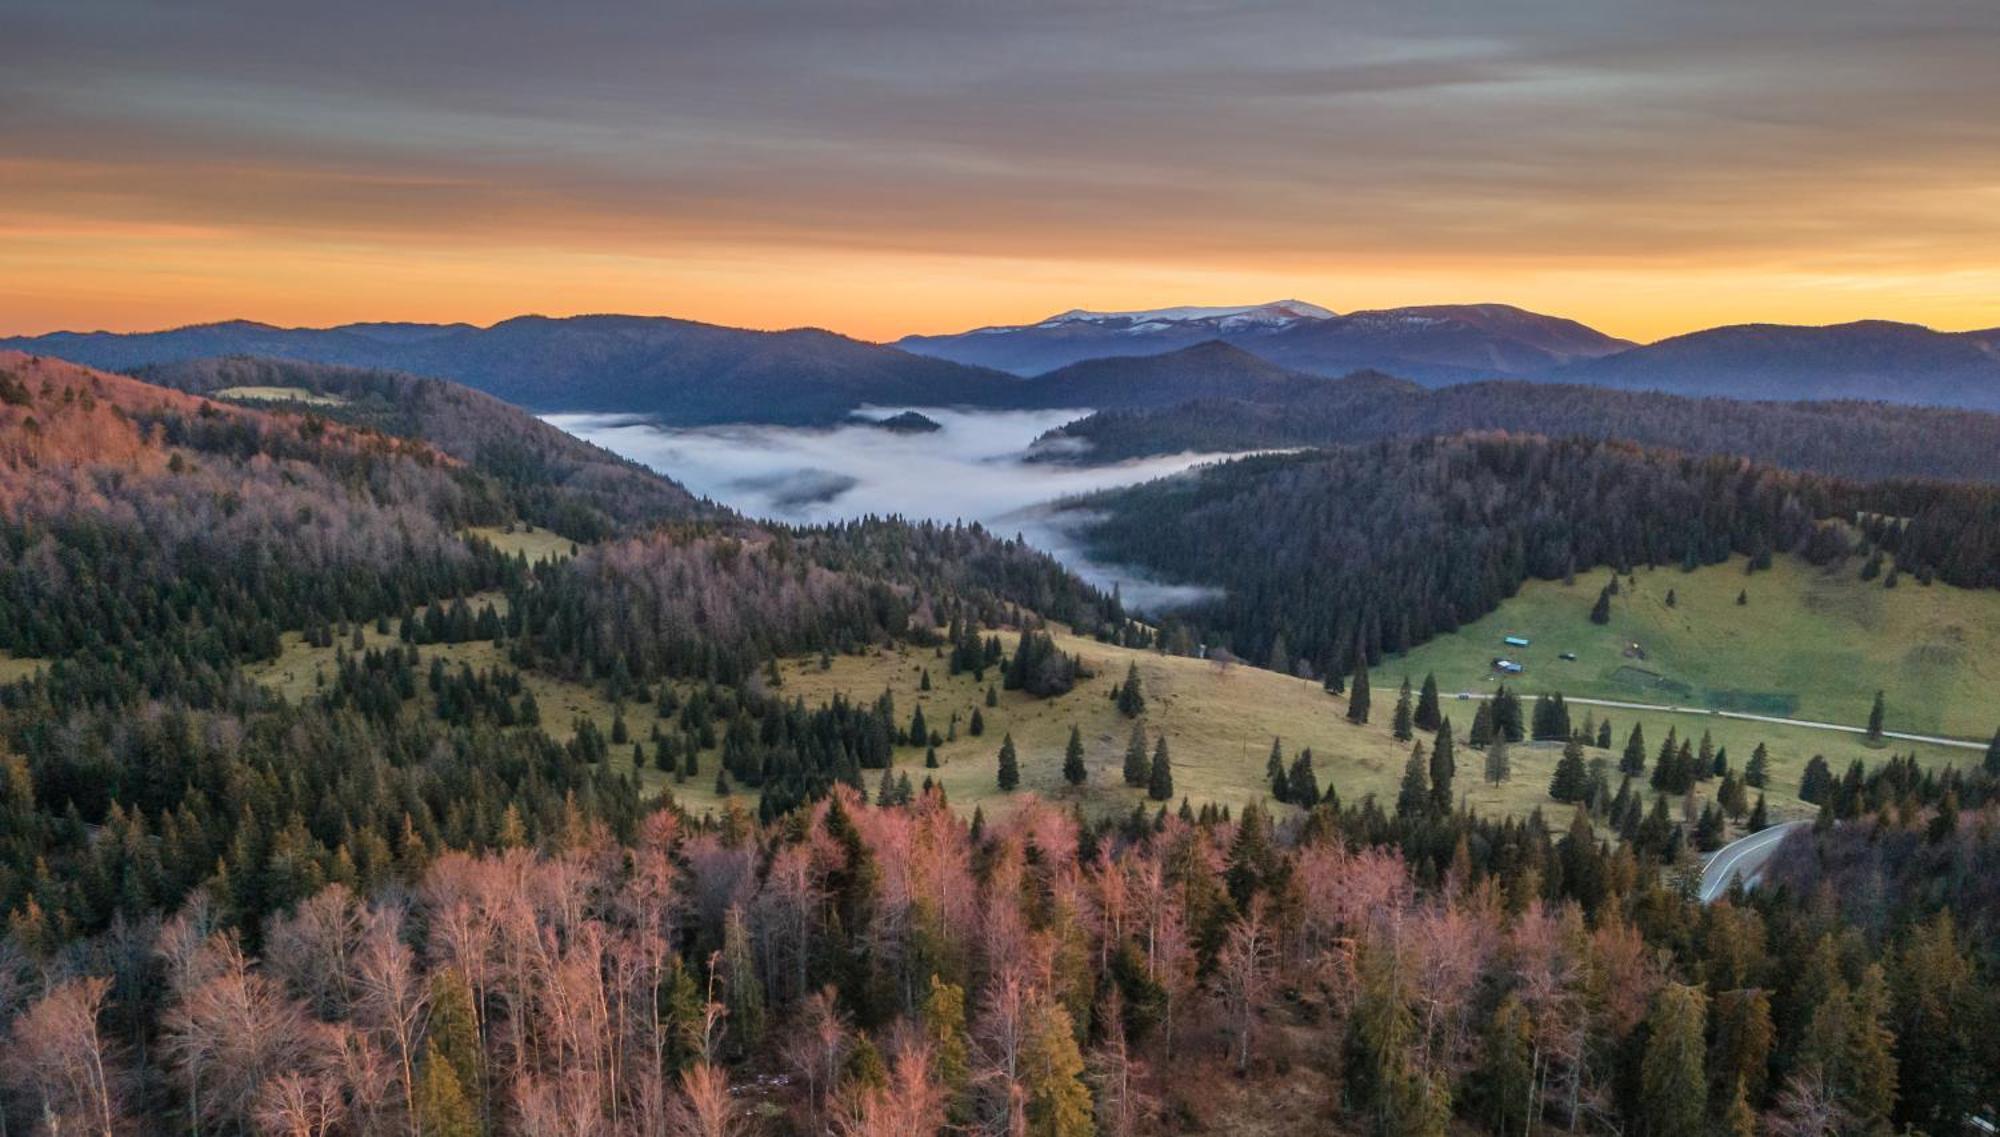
pixel 691 373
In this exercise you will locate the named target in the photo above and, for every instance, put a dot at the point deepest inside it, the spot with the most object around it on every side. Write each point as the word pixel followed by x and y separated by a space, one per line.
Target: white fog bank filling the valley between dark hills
pixel 973 469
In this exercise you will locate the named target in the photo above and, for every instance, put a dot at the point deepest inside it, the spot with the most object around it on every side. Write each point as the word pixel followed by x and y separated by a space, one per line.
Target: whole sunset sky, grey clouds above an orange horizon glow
pixel 887 167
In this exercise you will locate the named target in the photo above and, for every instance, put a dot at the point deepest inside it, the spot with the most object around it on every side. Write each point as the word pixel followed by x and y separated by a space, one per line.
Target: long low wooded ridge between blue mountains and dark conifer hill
pixel 1847 439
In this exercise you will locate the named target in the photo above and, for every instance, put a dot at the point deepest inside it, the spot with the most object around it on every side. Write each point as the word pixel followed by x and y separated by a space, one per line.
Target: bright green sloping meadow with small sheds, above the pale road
pixel 1807 646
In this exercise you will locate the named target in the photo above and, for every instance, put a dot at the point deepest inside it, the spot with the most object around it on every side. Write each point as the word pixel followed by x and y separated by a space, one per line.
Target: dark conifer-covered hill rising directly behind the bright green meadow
pixel 1375 549
